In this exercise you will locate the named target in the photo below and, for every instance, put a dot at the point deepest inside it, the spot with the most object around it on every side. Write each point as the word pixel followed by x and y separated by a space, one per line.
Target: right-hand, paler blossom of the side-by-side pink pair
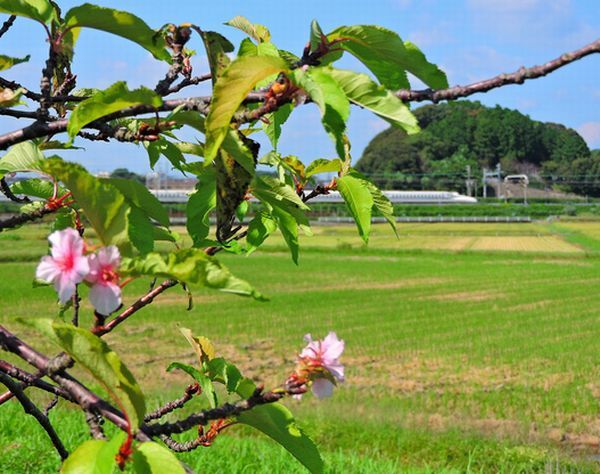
pixel 105 293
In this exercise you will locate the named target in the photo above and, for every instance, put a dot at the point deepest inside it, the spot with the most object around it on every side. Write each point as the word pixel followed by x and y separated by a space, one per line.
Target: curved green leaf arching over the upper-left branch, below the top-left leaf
pixel 106 102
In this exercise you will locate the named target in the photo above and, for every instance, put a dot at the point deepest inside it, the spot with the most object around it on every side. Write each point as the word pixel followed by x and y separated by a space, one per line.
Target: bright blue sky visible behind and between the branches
pixel 469 39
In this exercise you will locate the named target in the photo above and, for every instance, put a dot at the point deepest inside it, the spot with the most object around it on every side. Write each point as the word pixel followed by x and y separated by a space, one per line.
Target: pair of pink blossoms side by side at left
pixel 67 265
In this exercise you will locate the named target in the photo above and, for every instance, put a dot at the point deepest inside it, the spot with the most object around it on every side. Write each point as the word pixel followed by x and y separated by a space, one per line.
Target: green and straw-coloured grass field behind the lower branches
pixel 470 348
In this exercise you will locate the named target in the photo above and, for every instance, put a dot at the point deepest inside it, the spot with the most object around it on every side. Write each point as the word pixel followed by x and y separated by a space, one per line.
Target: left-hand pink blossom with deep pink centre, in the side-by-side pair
pixel 66 266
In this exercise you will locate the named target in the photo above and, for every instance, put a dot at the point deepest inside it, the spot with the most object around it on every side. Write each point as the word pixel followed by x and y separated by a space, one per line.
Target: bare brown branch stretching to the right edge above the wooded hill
pixel 517 77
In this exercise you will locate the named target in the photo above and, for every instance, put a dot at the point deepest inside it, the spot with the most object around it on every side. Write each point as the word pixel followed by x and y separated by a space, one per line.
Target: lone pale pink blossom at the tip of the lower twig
pixel 319 365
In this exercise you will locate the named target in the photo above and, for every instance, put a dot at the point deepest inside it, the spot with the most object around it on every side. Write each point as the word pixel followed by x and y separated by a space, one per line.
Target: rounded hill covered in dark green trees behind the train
pixel 461 134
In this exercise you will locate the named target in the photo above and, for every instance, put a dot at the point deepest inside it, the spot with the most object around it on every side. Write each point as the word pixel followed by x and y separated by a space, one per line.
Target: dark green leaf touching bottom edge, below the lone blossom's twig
pixel 277 422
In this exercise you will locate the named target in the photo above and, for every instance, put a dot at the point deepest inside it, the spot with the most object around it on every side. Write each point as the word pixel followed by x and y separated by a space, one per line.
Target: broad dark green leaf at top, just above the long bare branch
pixel 387 56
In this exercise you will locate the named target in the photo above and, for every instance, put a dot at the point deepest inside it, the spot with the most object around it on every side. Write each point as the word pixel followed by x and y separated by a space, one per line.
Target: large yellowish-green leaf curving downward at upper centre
pixel 230 90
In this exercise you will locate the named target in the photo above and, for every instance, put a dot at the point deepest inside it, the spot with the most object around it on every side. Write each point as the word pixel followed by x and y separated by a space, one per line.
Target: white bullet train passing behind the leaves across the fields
pixel 397 197
